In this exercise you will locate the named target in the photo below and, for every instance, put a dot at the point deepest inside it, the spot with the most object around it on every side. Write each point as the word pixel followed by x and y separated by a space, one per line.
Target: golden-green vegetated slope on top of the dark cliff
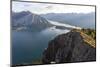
pixel 89 36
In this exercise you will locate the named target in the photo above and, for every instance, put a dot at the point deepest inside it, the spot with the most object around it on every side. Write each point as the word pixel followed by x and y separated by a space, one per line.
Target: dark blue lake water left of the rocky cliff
pixel 29 46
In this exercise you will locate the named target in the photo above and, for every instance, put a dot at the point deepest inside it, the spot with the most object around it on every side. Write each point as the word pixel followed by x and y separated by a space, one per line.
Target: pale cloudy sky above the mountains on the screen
pixel 43 8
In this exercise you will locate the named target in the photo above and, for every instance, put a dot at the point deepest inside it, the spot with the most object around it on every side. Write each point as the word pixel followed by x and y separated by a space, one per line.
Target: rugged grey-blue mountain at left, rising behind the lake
pixel 28 21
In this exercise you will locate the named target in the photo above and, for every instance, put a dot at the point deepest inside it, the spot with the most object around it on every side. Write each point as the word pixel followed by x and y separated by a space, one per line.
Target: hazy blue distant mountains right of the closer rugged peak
pixel 77 19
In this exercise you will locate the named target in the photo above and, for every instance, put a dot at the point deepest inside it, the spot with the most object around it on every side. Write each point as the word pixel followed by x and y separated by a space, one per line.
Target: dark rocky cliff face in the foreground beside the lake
pixel 69 47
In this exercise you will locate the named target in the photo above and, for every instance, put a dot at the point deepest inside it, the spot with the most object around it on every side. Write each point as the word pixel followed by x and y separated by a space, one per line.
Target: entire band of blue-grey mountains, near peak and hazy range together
pixel 26 20
